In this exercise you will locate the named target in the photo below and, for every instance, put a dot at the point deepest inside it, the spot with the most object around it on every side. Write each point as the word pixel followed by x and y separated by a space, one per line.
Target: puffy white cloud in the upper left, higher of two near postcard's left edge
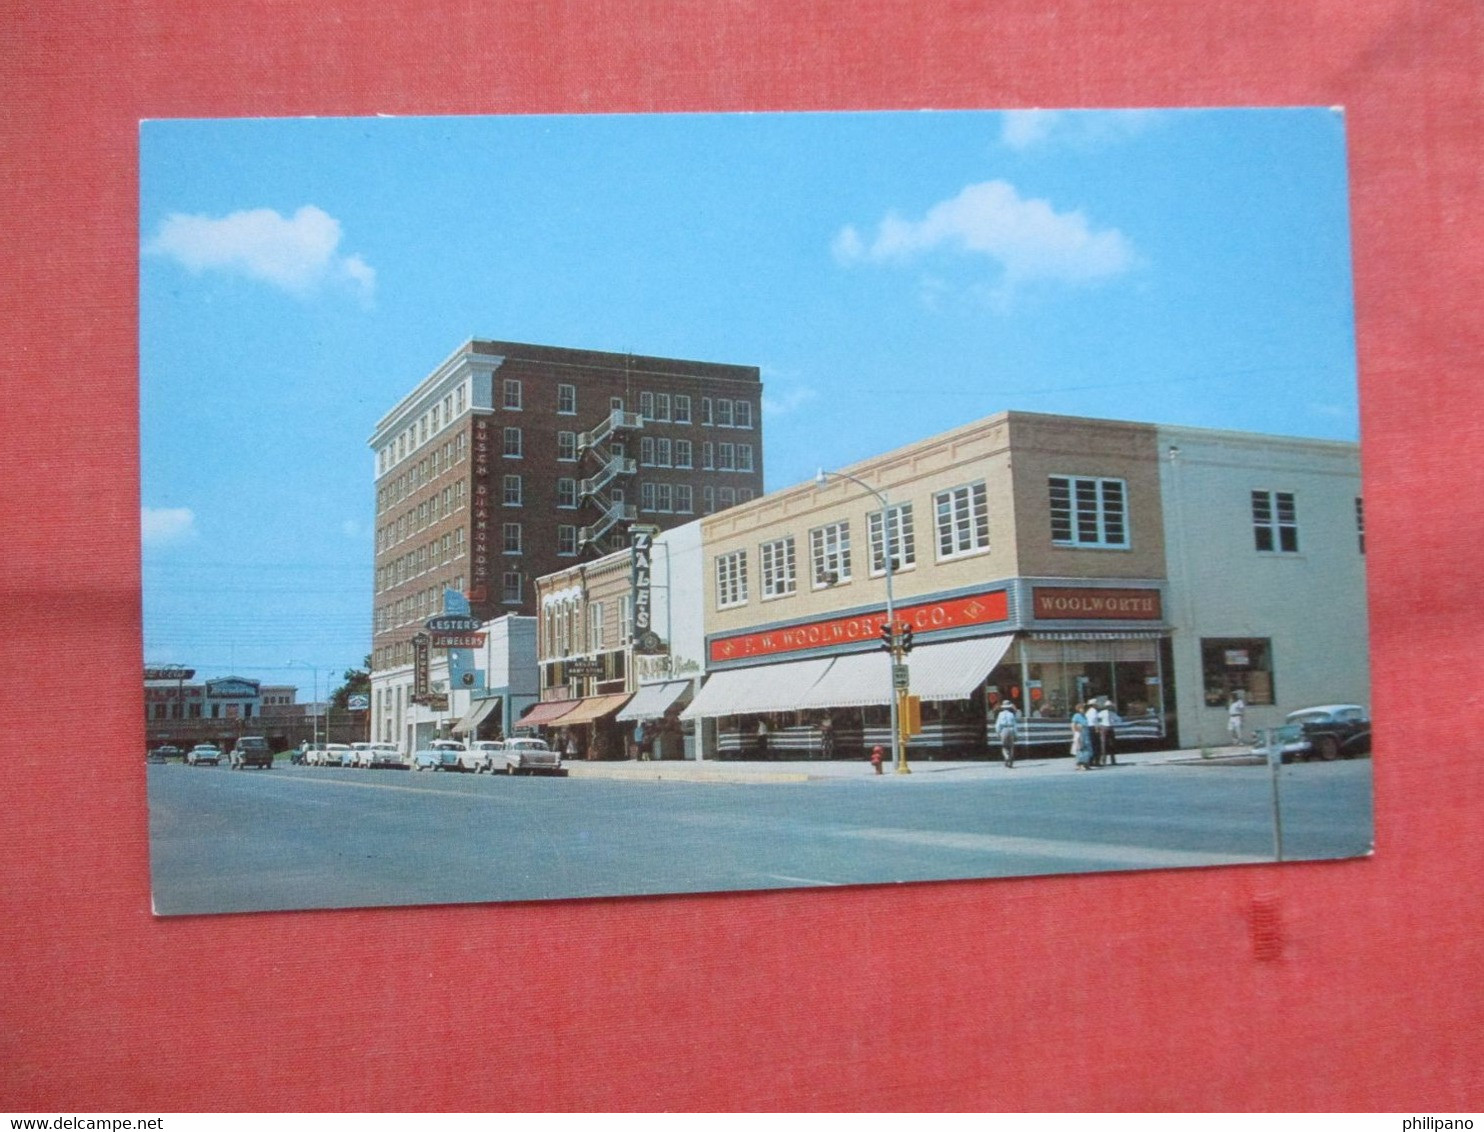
pixel 299 254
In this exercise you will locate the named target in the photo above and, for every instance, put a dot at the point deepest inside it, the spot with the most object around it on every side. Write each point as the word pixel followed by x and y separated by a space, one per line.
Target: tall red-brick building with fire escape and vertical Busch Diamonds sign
pixel 511 461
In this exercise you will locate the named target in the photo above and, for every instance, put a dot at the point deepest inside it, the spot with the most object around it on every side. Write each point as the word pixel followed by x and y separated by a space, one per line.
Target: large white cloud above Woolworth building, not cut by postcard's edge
pixel 1028 238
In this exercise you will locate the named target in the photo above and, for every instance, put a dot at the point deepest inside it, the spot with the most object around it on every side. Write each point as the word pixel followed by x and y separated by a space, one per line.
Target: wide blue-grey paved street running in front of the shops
pixel 314 838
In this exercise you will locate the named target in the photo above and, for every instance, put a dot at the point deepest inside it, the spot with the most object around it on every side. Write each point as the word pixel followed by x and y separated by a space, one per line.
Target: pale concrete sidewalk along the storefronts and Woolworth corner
pixel 922 769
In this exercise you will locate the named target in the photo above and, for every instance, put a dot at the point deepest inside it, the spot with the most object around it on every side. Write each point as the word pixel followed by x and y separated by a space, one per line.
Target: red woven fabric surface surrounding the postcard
pixel 1324 986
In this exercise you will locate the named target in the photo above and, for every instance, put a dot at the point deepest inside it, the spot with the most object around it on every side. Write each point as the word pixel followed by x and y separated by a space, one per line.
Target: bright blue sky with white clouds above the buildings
pixel 893 275
